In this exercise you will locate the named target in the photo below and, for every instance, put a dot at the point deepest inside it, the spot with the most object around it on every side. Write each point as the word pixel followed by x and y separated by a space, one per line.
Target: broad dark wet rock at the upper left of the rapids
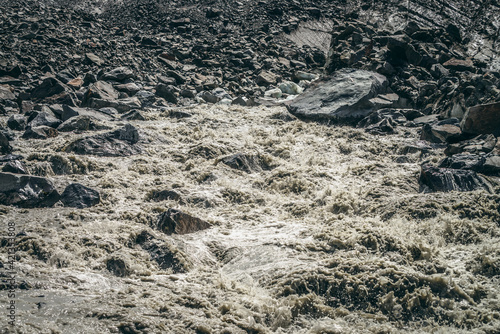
pixel 121 142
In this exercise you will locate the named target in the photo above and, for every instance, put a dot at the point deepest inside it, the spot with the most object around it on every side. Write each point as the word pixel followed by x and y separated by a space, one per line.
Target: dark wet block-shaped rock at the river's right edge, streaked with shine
pixel 446 179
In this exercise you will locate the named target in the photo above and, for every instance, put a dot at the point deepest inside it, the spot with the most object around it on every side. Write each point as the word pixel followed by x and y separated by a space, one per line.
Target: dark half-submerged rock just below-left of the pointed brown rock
pixel 160 252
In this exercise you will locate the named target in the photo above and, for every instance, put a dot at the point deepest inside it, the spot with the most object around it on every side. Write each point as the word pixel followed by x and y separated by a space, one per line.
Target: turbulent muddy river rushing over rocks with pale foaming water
pixel 330 234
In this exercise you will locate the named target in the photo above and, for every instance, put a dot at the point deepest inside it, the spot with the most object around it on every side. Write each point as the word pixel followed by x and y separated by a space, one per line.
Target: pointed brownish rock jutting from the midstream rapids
pixel 177 222
